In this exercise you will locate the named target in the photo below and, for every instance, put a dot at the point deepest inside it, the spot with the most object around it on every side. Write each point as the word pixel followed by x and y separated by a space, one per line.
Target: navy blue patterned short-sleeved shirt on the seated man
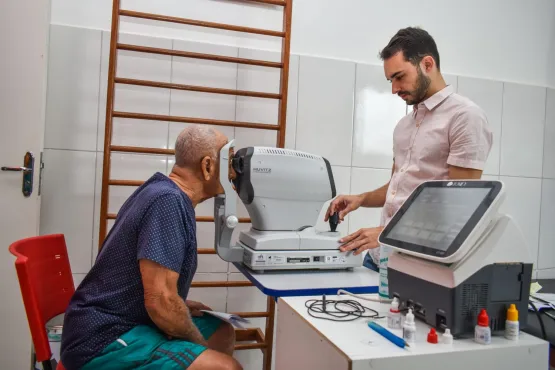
pixel 157 222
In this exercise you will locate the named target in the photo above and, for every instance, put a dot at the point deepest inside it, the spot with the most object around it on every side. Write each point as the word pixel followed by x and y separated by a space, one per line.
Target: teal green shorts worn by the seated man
pixel 145 348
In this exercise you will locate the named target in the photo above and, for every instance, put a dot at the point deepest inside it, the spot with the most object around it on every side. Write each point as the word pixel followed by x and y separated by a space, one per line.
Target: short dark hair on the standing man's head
pixel 414 42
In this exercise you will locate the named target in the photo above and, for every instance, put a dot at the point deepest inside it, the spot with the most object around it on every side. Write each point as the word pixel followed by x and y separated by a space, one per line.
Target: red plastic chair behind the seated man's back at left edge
pixel 46 284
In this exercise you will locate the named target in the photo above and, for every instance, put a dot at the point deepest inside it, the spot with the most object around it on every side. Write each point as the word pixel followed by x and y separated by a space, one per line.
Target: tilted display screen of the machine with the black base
pixel 438 217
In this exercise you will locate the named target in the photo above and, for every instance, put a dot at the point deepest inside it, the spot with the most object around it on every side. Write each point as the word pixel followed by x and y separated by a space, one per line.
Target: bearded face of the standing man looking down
pixel 408 81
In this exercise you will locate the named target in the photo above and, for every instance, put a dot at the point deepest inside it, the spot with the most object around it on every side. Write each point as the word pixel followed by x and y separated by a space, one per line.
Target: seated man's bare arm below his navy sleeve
pixel 164 306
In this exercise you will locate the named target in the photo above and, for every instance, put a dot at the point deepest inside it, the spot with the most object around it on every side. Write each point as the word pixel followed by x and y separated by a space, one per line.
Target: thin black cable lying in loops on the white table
pixel 344 310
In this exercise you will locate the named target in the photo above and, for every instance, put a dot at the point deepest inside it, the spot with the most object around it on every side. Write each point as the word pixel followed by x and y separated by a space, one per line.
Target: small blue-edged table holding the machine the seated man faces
pixel 311 283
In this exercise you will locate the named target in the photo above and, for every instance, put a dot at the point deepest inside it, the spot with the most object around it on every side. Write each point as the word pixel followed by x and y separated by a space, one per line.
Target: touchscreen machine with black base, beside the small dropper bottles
pixel 454 254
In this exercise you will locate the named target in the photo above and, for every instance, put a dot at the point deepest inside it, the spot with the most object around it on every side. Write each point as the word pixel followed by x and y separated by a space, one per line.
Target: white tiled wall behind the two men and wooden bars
pixel 341 110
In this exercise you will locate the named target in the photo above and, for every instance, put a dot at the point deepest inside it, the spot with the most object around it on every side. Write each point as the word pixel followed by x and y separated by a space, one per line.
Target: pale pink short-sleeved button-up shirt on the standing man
pixel 445 129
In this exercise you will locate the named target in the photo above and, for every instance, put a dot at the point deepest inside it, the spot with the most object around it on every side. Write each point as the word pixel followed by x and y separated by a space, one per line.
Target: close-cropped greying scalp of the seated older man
pixel 196 142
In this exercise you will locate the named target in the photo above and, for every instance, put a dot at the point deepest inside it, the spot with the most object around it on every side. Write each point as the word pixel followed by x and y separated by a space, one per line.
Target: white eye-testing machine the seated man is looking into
pixel 283 191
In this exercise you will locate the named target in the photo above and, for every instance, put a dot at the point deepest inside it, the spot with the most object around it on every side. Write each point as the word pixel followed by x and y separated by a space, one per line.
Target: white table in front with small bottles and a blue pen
pixel 304 342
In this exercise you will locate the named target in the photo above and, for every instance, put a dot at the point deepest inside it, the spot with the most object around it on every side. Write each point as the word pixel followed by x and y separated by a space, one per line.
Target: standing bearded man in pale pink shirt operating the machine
pixel 446 136
